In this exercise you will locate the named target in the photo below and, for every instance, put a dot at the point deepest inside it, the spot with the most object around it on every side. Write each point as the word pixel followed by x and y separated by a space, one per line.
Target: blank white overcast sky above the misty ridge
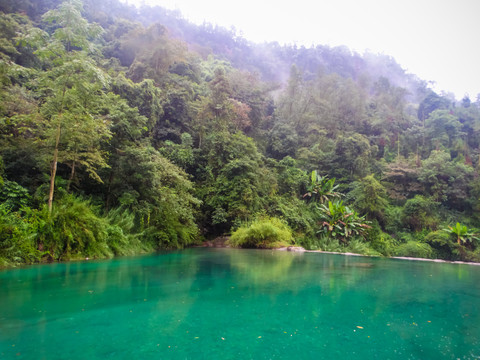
pixel 438 40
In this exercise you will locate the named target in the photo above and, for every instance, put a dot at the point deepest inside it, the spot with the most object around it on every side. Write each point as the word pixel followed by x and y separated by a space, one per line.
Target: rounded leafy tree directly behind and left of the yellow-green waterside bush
pixel 232 180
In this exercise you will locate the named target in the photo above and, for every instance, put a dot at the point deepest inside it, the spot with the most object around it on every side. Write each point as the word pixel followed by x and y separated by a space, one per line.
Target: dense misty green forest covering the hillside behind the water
pixel 126 130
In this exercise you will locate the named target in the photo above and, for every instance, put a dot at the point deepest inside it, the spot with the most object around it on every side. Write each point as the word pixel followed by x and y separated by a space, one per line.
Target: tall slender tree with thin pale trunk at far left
pixel 71 87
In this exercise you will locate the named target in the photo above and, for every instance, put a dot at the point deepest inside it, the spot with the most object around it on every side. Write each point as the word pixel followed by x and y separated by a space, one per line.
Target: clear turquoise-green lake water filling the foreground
pixel 241 304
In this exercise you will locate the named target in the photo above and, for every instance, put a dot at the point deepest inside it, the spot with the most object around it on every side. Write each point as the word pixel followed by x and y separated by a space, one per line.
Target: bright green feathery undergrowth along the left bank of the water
pixel 72 230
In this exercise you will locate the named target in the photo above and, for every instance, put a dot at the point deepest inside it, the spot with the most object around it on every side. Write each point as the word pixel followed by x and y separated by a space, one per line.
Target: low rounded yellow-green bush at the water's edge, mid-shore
pixel 262 233
